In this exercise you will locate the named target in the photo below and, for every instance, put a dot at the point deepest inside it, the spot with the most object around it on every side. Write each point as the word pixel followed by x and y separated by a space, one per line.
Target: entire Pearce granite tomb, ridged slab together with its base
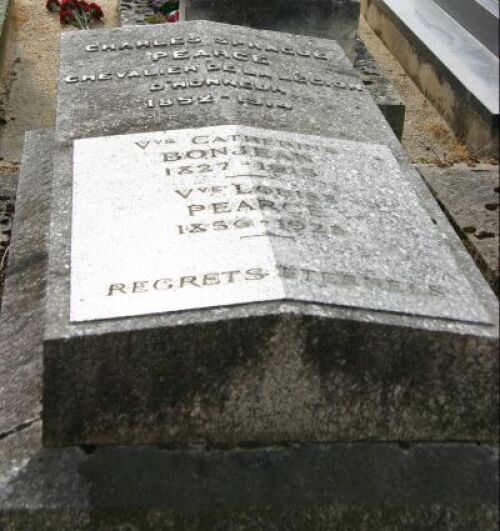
pixel 252 270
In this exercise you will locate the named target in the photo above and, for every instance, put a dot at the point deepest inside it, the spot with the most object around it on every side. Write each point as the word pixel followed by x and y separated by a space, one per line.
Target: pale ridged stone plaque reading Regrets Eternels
pixel 197 218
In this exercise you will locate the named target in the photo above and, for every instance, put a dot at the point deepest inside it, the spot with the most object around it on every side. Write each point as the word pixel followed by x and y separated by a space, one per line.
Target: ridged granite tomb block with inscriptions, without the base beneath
pixel 241 252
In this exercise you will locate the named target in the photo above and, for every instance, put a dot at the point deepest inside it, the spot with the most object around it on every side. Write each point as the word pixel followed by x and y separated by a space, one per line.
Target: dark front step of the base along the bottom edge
pixel 320 487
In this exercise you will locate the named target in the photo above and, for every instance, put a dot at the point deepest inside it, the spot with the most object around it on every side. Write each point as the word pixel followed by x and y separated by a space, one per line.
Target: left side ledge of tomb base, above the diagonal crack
pixel 22 317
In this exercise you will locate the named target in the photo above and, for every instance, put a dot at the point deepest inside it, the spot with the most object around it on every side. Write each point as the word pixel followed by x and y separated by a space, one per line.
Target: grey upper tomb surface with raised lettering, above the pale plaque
pixel 151 97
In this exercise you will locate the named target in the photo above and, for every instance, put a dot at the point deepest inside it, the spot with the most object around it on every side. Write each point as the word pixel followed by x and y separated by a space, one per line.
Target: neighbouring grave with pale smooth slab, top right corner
pixel 439 45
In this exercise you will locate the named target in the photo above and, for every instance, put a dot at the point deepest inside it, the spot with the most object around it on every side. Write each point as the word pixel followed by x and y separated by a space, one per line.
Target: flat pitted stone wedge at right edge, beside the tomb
pixel 470 198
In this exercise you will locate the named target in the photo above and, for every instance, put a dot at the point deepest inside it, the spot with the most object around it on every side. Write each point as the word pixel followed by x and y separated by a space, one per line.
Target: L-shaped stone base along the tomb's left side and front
pixel 361 486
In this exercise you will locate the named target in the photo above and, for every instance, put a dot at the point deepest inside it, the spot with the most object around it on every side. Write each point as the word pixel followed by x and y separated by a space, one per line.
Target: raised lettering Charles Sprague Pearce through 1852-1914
pixel 184 71
